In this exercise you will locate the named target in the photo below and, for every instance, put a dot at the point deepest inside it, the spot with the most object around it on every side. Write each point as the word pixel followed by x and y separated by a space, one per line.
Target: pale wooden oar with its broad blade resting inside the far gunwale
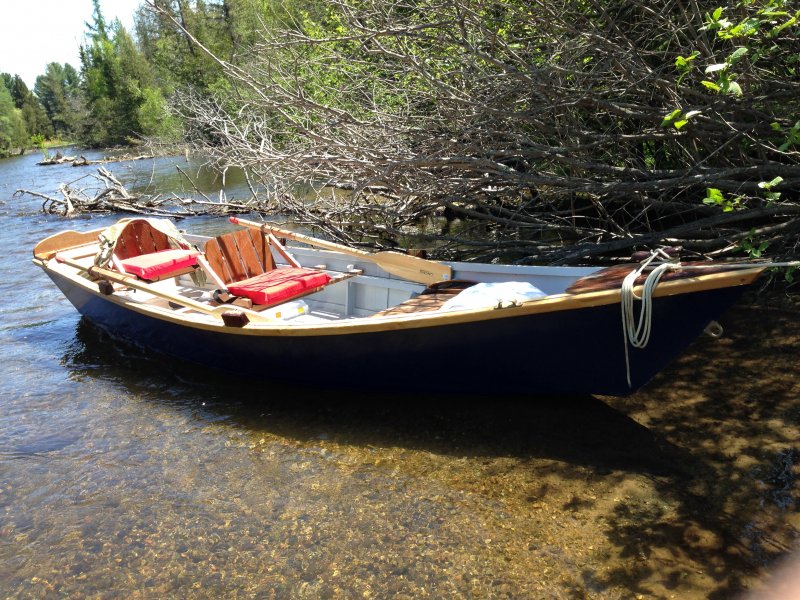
pixel 408 267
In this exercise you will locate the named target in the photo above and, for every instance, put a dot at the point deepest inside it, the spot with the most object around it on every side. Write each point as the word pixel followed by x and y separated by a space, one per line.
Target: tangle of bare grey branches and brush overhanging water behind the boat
pixel 524 131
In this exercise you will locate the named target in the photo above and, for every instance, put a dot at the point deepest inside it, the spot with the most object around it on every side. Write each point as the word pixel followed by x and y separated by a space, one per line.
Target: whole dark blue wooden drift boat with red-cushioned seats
pixel 325 314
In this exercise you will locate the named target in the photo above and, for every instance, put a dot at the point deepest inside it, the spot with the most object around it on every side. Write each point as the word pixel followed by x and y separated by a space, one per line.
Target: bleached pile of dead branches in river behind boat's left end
pixel 108 195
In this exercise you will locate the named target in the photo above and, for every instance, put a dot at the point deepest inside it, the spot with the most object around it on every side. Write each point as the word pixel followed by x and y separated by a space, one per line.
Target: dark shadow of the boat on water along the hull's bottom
pixel 580 430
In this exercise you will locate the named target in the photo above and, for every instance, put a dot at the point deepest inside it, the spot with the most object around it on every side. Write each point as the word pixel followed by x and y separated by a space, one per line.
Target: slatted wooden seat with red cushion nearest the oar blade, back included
pixel 243 261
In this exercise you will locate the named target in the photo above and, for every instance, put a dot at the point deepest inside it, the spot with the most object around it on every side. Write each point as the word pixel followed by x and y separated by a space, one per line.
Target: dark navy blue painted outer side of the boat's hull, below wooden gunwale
pixel 564 352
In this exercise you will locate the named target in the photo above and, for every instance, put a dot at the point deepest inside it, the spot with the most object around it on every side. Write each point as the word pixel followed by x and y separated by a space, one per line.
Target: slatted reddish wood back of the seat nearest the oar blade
pixel 239 255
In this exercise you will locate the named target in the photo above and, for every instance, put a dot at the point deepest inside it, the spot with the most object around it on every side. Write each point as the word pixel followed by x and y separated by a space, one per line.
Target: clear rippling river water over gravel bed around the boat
pixel 129 475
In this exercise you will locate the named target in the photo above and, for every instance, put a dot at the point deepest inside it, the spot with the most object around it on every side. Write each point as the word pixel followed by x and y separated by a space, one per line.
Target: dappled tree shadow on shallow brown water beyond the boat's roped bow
pixel 734 405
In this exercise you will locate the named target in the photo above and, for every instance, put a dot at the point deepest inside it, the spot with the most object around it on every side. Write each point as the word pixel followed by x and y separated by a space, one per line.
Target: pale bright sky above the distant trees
pixel 34 33
